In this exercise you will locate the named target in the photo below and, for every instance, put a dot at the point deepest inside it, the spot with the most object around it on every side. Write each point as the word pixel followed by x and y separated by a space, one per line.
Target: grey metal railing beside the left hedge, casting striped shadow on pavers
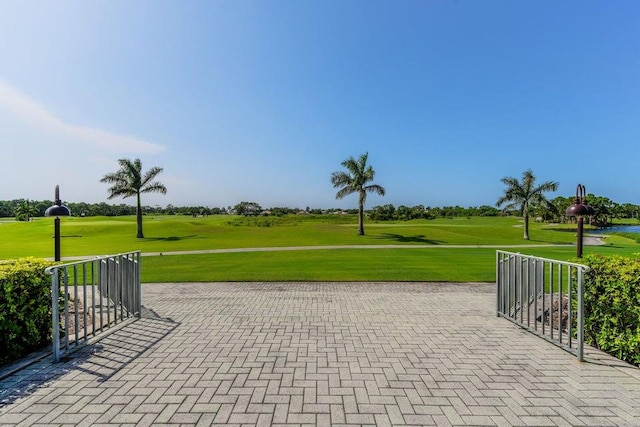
pixel 91 296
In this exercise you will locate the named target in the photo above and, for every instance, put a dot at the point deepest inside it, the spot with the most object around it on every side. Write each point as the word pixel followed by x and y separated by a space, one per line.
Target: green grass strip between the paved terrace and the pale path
pixel 325 265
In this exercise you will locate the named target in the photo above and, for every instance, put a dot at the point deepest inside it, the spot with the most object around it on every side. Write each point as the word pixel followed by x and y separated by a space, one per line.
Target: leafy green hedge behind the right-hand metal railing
pixel 612 306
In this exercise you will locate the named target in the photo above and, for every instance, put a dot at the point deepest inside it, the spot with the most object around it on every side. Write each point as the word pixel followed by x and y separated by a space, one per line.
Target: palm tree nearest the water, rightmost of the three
pixel 523 195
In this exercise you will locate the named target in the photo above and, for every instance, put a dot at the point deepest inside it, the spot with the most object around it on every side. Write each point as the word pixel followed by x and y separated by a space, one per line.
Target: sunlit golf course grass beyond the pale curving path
pixel 100 235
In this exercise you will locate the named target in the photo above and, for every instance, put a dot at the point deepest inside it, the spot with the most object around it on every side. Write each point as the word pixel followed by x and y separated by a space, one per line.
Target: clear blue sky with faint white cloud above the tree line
pixel 262 100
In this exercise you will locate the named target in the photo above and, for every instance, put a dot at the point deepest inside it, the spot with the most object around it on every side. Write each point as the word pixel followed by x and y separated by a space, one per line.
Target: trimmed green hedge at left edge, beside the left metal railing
pixel 25 307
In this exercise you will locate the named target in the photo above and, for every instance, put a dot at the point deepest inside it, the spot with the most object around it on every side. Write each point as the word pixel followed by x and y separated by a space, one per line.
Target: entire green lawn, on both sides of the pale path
pixel 100 235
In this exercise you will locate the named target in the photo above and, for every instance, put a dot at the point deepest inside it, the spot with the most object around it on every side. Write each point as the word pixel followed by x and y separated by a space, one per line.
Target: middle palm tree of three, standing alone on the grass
pixel 355 181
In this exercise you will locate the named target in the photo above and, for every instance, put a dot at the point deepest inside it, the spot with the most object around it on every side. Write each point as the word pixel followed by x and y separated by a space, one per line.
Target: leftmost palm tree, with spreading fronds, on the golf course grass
pixel 129 181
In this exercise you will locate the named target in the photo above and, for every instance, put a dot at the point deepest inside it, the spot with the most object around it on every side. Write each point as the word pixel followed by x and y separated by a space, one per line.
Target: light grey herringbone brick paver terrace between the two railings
pixel 323 354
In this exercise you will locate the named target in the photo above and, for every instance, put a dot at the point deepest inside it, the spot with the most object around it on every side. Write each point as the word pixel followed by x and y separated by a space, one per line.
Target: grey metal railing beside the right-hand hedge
pixel 543 296
